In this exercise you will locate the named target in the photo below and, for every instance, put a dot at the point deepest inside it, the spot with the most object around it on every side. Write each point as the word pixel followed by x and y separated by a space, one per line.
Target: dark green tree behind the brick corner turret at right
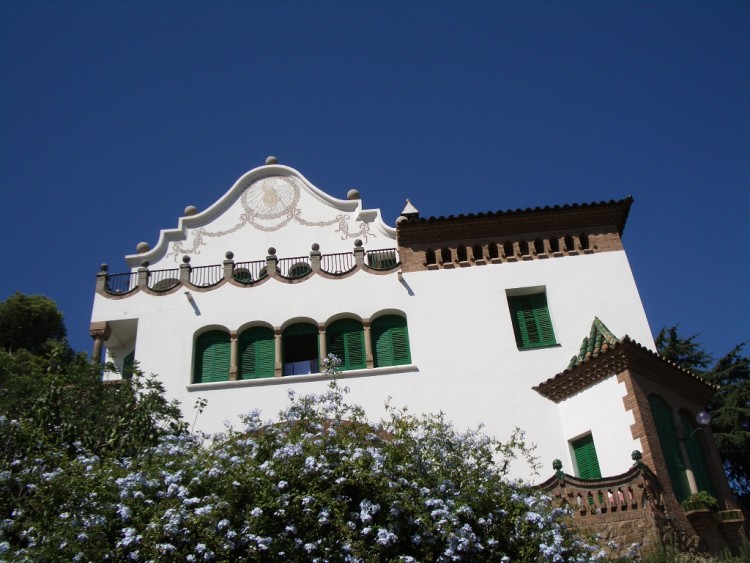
pixel 730 407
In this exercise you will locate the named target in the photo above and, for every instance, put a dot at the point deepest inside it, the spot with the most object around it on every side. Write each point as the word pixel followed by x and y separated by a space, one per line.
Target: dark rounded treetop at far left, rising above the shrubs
pixel 28 322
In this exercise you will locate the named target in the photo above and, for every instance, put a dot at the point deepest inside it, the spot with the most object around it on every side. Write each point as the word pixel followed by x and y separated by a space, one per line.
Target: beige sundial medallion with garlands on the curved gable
pixel 264 202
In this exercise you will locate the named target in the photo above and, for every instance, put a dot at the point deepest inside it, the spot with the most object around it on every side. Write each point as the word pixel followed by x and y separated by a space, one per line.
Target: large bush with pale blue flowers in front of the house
pixel 321 482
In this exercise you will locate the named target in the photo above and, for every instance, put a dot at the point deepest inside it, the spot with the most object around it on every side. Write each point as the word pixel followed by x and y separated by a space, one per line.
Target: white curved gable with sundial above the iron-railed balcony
pixel 269 206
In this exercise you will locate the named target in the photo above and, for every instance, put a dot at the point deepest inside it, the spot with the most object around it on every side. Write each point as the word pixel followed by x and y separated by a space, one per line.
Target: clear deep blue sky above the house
pixel 116 115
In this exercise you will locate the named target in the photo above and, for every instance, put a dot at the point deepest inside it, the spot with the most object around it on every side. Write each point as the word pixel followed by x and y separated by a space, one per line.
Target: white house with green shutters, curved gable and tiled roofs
pixel 471 315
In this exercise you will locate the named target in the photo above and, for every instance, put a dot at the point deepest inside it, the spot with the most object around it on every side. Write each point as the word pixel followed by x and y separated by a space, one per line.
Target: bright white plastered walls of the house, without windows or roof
pixel 465 360
